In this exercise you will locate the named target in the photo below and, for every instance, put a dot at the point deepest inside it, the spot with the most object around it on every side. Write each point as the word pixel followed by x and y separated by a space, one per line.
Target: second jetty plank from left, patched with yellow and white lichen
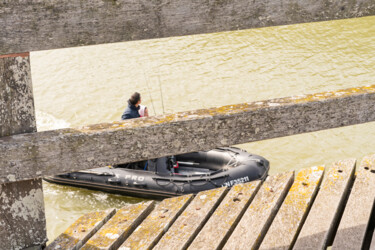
pixel 119 227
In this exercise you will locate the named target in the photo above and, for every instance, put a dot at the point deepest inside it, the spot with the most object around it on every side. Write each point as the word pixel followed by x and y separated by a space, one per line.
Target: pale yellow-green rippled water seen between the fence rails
pixel 78 86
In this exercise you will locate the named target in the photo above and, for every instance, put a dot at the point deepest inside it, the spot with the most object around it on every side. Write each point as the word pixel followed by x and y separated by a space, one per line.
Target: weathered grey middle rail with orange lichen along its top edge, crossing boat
pixel 29 156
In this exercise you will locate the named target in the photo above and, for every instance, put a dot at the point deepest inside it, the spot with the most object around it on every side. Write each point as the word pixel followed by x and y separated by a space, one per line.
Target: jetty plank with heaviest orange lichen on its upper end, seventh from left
pixel 292 213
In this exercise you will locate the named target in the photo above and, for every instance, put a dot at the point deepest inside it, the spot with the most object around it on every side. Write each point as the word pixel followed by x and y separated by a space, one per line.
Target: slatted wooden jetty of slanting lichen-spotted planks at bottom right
pixel 315 209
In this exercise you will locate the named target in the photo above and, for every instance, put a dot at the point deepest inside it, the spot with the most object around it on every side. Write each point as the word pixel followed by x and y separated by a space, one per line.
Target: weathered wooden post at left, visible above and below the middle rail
pixel 22 219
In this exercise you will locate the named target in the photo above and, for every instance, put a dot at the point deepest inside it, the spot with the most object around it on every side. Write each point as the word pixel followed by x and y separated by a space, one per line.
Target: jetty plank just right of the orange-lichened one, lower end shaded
pixel 323 217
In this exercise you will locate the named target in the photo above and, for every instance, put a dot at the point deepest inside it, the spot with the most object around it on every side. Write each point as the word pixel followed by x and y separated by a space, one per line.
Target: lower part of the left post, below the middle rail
pixel 22 219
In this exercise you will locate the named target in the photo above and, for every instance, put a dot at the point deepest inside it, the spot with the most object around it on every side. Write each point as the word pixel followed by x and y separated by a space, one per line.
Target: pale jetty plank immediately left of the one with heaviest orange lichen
pixel 254 224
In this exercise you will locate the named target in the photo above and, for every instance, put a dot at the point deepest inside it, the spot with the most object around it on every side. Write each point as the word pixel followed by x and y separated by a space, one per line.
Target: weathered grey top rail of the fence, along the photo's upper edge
pixel 41 24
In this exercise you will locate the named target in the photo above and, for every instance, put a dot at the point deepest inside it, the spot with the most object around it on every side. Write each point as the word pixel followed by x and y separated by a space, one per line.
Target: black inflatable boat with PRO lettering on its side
pixel 172 176
